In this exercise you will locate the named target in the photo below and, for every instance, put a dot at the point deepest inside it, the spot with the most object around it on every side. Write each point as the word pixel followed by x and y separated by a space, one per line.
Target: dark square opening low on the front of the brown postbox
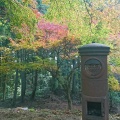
pixel 94 108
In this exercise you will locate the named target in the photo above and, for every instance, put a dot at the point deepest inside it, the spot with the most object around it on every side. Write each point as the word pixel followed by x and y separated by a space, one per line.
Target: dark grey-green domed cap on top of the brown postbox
pixel 94 49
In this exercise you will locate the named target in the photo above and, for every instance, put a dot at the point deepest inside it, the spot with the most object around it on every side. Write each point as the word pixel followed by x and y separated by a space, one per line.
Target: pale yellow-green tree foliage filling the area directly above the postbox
pixel 90 21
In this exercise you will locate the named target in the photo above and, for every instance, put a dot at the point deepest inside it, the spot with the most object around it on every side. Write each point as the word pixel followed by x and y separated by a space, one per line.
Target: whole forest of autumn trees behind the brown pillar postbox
pixel 39 43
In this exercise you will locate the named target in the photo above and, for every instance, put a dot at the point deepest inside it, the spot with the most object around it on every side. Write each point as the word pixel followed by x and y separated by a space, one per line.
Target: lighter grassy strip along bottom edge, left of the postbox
pixel 32 114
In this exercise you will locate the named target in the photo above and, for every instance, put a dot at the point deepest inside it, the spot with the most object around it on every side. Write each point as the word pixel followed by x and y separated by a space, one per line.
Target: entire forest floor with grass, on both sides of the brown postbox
pixel 44 109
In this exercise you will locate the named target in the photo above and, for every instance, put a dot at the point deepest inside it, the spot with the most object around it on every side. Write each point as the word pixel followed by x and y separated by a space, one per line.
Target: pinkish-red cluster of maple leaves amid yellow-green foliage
pixel 51 31
